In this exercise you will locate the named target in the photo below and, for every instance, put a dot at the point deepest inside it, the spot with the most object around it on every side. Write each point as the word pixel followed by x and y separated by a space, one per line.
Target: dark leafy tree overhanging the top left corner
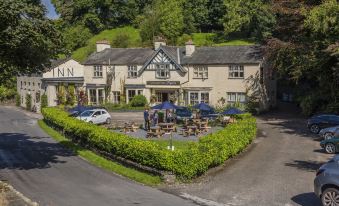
pixel 28 40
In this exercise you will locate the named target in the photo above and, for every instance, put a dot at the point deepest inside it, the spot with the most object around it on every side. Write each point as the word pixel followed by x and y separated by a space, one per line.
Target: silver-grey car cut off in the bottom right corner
pixel 326 182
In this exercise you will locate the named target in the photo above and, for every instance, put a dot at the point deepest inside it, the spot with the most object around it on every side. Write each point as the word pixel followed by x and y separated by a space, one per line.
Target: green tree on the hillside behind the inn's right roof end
pixel 252 17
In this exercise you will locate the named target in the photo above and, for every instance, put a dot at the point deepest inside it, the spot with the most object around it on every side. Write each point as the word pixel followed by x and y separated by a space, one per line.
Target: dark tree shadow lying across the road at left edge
pixel 19 151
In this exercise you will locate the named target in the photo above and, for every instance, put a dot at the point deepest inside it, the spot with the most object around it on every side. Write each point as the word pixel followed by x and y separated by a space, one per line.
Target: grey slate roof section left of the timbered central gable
pixel 120 56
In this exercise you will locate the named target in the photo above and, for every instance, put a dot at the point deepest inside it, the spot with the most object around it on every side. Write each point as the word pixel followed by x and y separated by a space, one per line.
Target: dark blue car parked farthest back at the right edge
pixel 318 122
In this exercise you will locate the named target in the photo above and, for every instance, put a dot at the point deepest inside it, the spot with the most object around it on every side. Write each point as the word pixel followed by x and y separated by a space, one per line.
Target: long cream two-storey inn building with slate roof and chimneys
pixel 184 75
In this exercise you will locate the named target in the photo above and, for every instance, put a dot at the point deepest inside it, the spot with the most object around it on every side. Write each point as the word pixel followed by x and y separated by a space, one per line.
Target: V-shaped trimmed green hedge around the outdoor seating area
pixel 211 150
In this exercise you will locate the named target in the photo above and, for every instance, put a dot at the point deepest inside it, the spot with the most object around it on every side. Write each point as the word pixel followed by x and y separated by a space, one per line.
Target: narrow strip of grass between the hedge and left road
pixel 99 161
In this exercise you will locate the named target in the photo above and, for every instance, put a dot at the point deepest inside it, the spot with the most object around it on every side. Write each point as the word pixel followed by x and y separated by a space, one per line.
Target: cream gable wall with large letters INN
pixel 70 68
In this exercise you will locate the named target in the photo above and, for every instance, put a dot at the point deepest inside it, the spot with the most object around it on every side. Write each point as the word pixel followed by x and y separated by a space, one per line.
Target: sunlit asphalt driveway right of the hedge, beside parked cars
pixel 278 170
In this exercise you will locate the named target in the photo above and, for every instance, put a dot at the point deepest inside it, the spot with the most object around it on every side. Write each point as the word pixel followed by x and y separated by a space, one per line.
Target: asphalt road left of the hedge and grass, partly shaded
pixel 45 172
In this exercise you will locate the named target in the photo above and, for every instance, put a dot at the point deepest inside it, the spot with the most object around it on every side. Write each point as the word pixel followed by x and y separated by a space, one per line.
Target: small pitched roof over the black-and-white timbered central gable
pixel 170 52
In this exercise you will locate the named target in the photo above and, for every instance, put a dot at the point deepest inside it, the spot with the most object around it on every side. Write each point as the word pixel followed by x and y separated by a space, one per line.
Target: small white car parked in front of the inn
pixel 95 116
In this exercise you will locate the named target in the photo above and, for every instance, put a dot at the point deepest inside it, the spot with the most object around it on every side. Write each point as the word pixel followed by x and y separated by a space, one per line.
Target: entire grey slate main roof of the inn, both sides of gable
pixel 202 55
